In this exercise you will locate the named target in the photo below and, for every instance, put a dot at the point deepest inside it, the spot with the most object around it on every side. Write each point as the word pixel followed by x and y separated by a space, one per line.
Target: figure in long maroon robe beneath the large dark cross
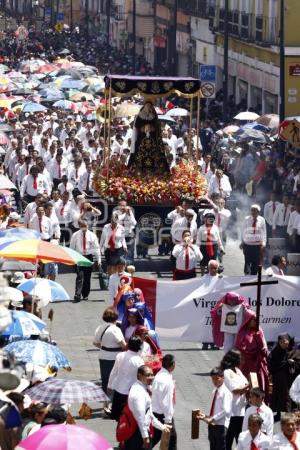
pixel 253 347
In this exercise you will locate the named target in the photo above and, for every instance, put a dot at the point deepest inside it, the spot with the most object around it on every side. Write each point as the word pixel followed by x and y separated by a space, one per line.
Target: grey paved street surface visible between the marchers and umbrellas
pixel 73 328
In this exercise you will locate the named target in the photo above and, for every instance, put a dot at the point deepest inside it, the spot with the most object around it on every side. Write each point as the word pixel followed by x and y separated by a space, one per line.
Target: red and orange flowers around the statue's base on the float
pixel 184 181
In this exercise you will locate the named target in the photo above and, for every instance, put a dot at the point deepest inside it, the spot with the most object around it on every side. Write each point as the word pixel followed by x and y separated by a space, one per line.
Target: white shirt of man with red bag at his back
pixel 139 402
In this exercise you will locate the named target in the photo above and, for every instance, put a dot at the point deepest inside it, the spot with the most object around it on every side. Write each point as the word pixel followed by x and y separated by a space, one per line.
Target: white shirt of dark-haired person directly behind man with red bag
pixel 124 372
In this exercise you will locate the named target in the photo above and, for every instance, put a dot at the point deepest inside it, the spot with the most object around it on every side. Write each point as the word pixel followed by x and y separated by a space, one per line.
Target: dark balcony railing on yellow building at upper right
pixel 249 27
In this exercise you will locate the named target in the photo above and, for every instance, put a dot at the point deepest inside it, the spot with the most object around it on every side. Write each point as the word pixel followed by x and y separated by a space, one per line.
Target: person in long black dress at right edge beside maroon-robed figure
pixel 284 366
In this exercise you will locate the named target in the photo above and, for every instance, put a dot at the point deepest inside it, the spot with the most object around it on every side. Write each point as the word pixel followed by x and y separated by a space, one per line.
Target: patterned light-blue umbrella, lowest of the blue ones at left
pixel 38 353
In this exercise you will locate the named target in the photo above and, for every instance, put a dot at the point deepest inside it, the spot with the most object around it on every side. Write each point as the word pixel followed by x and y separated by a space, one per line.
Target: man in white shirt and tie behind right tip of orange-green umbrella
pixel 85 242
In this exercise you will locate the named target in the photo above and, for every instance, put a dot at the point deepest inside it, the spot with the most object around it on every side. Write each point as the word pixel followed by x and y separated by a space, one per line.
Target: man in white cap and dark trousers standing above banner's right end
pixel 254 237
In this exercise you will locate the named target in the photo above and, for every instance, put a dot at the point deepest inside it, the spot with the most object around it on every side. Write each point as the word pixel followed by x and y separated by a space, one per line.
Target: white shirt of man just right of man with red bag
pixel 163 394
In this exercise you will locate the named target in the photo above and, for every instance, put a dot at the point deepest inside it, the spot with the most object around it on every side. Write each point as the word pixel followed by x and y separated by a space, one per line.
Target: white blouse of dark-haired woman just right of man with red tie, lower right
pixel 236 380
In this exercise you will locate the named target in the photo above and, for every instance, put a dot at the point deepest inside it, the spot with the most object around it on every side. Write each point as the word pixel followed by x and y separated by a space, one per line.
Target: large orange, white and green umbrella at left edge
pixel 34 250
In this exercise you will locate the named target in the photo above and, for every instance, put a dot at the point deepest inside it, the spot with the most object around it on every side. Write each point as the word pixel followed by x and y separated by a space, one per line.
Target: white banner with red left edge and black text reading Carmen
pixel 182 308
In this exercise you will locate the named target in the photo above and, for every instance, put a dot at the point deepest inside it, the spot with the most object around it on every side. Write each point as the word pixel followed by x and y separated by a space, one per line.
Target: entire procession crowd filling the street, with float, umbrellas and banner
pixel 149 258
